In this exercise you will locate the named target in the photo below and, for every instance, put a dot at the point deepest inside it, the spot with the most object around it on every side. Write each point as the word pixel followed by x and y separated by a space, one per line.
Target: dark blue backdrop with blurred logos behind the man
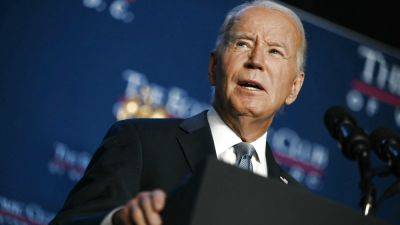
pixel 69 69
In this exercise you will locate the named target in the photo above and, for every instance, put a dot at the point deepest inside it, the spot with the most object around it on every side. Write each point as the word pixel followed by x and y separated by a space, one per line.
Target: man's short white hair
pixel 233 14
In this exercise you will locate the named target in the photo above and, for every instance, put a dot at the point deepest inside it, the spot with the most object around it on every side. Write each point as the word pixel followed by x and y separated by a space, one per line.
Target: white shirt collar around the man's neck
pixel 224 137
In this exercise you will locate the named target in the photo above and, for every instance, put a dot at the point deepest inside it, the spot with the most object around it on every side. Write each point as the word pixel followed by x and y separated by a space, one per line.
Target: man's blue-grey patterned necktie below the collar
pixel 244 151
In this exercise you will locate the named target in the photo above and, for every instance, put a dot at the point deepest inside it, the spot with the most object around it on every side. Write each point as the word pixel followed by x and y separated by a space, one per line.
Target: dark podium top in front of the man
pixel 221 194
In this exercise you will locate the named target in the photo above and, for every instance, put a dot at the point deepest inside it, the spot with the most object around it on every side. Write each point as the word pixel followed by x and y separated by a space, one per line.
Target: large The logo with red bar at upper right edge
pixel 379 83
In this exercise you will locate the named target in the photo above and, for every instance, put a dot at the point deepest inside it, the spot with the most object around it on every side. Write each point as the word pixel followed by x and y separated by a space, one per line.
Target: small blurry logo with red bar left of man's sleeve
pixel 68 161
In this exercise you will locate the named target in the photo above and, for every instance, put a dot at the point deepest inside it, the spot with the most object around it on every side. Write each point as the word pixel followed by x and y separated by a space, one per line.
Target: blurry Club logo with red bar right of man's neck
pixel 305 160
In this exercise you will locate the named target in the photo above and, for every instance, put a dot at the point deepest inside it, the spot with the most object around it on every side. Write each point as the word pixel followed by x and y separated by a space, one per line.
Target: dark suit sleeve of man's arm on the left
pixel 110 180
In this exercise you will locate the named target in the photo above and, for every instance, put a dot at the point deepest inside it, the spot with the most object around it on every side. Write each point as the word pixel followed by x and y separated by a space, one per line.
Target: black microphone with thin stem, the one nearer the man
pixel 356 146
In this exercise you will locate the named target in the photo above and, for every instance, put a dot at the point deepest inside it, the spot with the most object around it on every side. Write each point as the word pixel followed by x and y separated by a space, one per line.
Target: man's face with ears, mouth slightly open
pixel 257 72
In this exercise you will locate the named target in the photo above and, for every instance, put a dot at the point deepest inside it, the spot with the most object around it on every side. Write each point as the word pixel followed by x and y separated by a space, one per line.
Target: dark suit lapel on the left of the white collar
pixel 196 140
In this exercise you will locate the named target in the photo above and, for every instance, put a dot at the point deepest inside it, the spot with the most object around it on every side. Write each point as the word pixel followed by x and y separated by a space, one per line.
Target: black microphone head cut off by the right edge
pixel 386 144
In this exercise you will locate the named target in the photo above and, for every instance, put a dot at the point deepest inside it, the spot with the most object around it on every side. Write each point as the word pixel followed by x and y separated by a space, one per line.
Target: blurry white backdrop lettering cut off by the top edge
pixel 118 9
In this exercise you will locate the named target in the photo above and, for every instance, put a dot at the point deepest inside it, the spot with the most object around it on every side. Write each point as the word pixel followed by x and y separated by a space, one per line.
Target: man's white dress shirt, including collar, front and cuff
pixel 224 140
